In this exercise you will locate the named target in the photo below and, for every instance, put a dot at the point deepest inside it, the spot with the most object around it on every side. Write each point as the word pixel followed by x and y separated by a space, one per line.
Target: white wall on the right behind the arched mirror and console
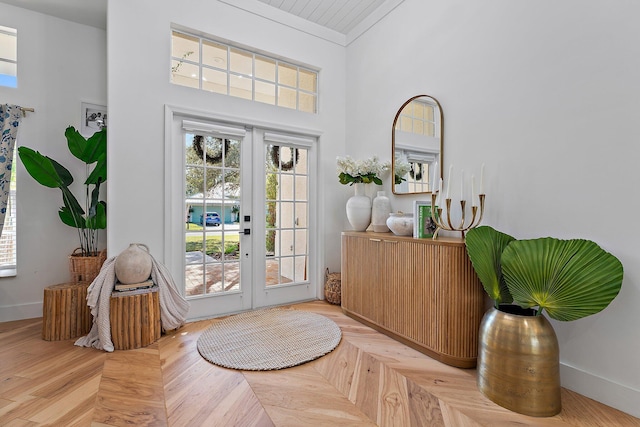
pixel 546 94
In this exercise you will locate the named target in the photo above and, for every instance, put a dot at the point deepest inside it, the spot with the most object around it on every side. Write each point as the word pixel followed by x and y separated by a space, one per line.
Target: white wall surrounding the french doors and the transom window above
pixel 139 88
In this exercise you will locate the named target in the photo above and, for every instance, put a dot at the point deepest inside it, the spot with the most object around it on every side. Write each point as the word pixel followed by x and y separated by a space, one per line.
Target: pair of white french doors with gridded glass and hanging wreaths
pixel 240 216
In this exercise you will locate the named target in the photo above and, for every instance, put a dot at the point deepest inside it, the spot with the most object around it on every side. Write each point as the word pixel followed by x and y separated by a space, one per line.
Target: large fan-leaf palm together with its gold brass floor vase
pixel 518 354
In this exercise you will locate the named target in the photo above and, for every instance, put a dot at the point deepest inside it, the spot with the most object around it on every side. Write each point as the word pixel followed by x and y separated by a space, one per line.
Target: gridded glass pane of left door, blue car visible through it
pixel 212 194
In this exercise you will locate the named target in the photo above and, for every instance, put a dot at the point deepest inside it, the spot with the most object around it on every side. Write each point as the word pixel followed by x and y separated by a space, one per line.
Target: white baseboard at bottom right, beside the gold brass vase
pixel 606 391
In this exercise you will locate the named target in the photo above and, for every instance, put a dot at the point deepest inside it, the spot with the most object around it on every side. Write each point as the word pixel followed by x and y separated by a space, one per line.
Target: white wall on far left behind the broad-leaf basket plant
pixel 60 65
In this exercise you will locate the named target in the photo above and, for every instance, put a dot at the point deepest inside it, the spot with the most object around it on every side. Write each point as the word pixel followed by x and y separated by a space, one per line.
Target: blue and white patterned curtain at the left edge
pixel 9 121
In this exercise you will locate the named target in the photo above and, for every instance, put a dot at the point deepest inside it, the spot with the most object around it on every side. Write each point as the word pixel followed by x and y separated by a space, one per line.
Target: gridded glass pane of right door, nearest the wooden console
pixel 287 232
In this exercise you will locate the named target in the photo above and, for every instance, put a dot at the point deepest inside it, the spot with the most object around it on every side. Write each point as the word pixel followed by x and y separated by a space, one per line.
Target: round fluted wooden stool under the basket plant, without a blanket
pixel 65 313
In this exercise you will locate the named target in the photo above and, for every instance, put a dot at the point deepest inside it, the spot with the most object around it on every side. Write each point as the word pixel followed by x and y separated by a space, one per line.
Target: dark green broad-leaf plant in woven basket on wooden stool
pixel 85 262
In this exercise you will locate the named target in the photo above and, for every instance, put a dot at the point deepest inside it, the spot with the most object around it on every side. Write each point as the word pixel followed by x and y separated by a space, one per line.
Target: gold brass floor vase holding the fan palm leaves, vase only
pixel 519 361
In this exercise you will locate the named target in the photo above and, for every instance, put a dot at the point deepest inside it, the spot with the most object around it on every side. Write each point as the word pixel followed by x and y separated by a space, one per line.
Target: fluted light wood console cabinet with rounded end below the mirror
pixel 421 292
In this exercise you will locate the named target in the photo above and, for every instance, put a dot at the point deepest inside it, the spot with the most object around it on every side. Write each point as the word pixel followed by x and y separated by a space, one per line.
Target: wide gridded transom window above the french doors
pixel 217 67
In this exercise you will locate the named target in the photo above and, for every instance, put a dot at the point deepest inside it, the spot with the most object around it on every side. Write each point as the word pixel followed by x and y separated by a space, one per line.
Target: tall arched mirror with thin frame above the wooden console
pixel 416 146
